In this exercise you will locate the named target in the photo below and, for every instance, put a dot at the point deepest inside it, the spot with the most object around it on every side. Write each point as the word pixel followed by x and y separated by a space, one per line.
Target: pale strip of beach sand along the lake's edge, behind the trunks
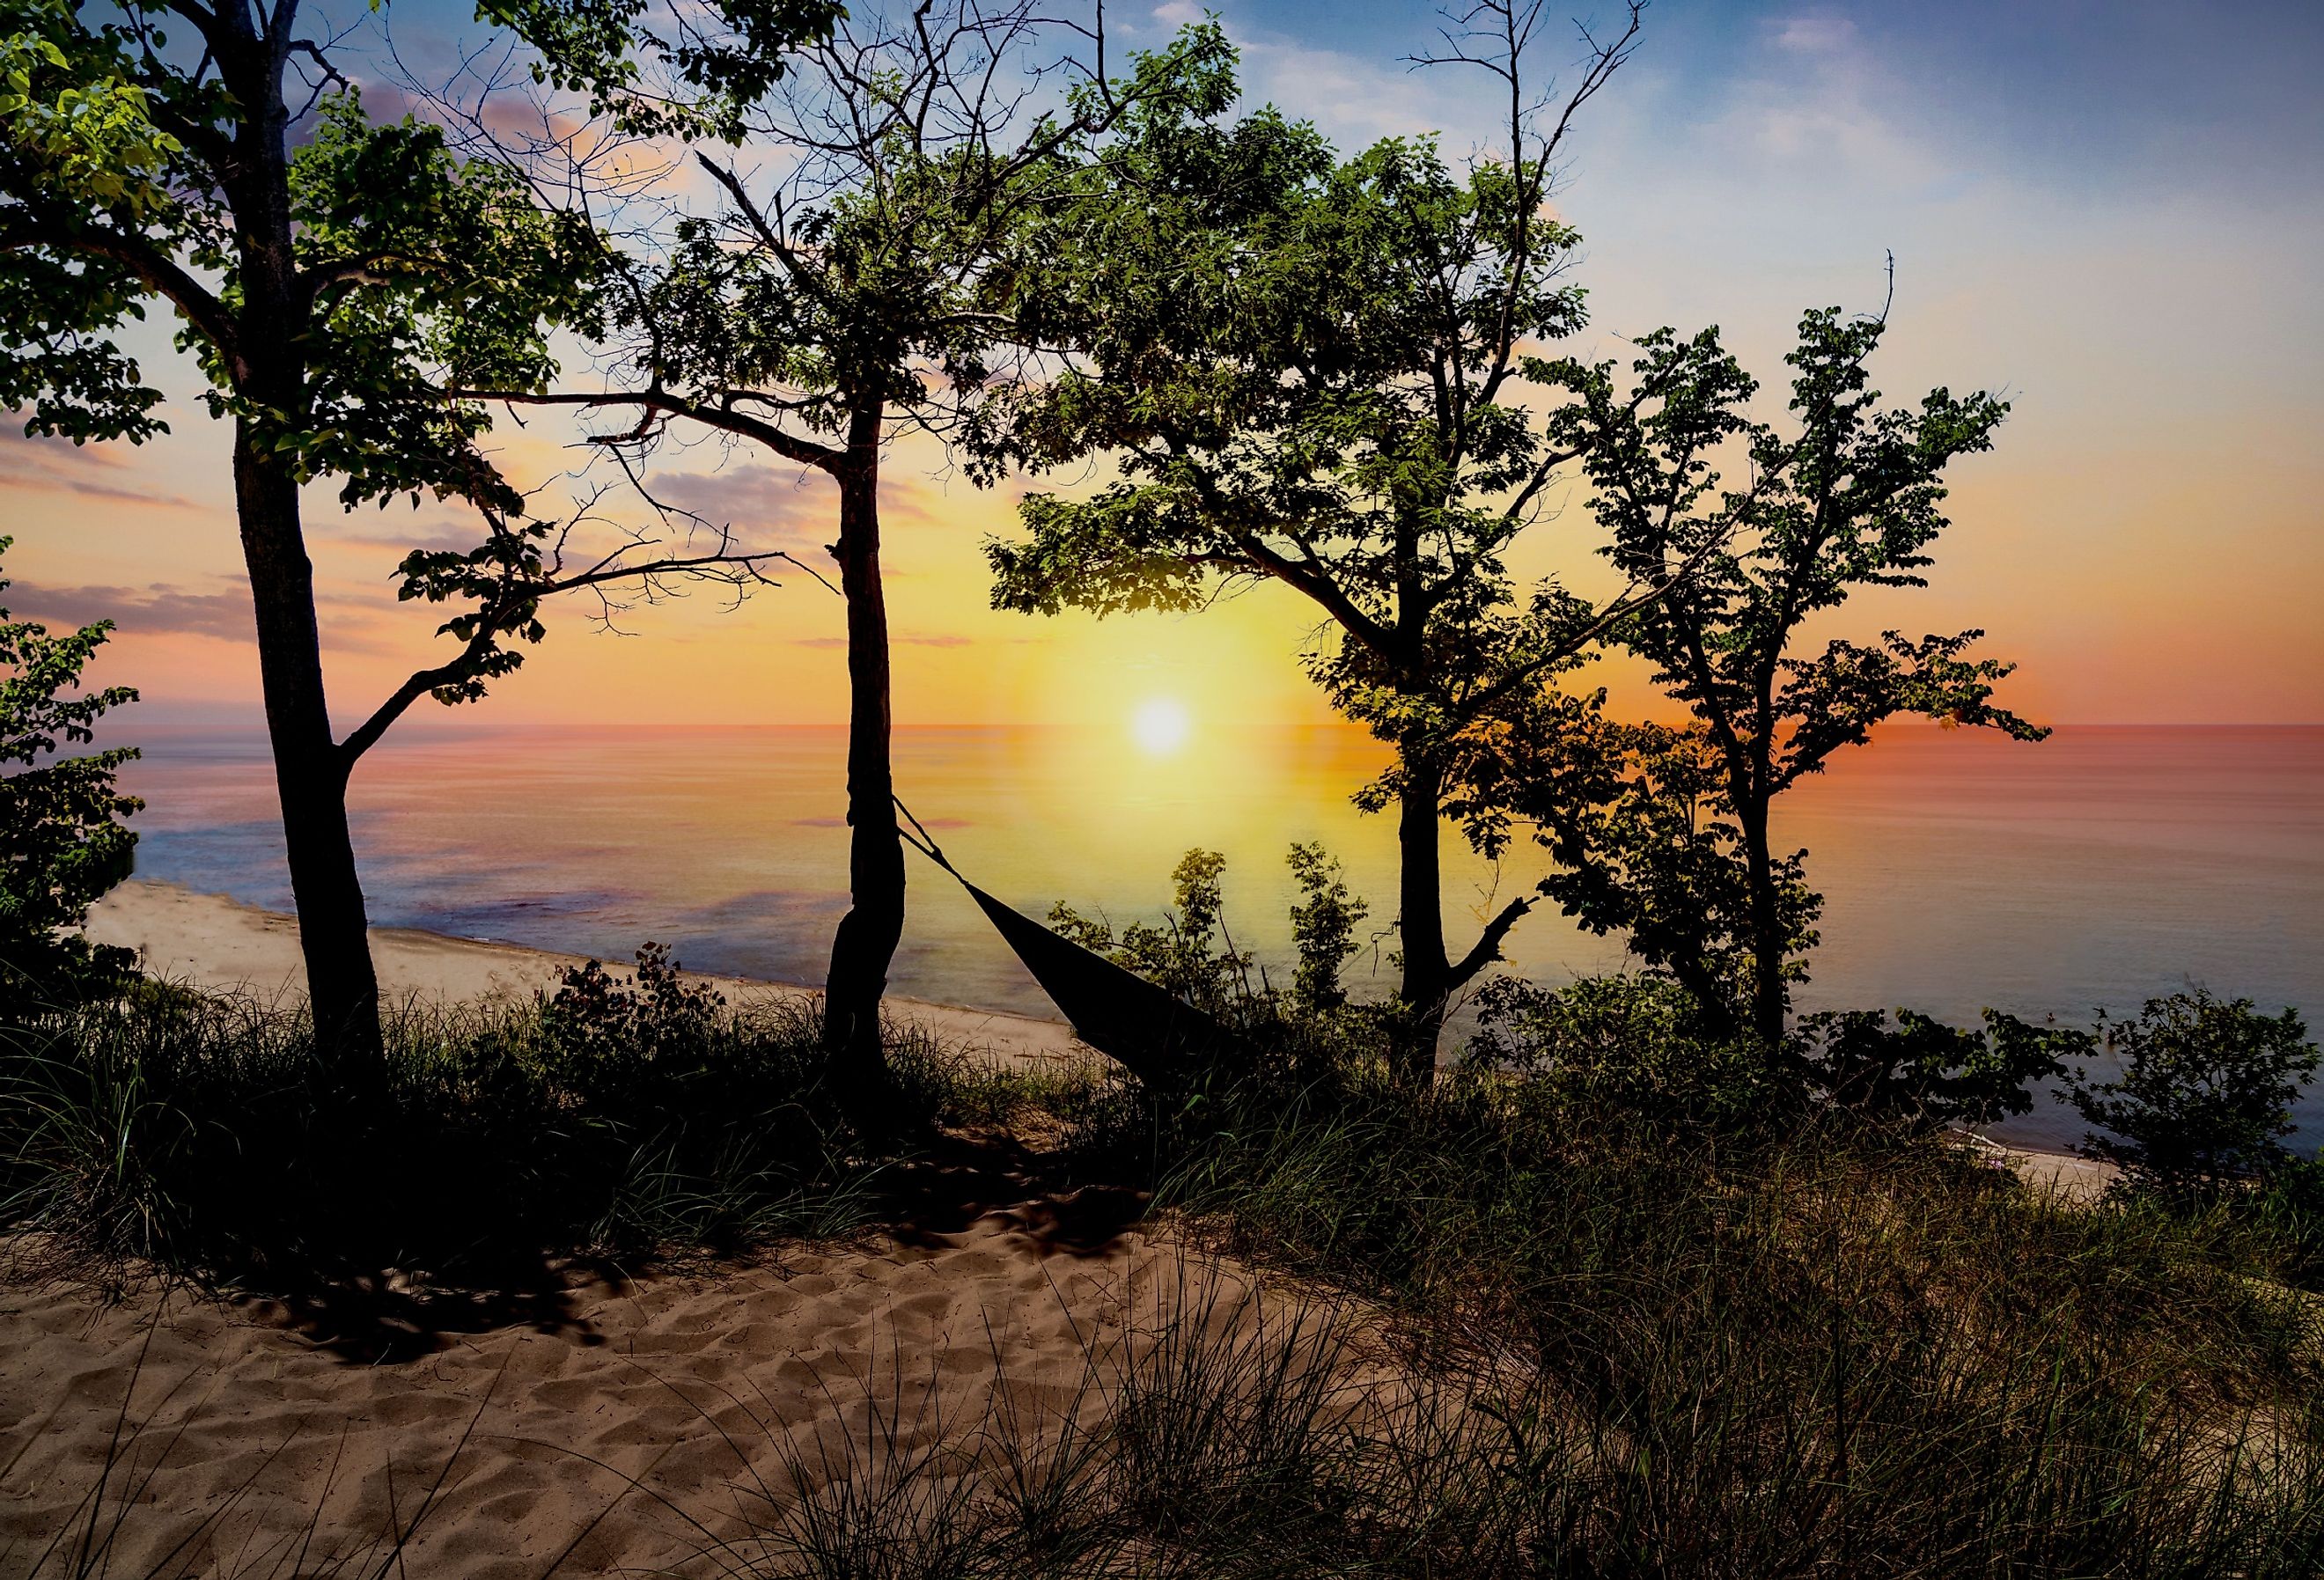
pixel 220 942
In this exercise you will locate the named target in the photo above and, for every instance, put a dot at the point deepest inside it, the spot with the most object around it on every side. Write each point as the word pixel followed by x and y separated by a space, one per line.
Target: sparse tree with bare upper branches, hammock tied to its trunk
pixel 854 299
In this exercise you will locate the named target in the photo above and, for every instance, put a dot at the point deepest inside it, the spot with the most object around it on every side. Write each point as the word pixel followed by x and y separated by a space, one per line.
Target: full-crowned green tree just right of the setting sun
pixel 1312 373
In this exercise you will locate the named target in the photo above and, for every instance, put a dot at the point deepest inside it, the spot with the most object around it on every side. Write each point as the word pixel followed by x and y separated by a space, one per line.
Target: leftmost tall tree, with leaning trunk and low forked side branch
pixel 331 278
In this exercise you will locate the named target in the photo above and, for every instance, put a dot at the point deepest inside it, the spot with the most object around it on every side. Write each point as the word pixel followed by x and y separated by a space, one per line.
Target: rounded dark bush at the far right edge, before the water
pixel 2202 1091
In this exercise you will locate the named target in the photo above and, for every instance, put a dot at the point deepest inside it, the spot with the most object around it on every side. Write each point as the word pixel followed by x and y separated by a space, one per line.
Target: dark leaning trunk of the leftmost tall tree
pixel 310 775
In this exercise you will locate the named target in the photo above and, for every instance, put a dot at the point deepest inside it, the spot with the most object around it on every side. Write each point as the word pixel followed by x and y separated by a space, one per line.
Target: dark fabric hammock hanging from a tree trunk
pixel 1149 1030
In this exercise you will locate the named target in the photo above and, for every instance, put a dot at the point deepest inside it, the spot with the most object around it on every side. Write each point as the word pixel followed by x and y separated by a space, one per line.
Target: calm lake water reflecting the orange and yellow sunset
pixel 2095 870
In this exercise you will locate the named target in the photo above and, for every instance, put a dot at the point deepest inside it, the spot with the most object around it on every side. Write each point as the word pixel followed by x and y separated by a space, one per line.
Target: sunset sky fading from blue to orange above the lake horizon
pixel 2107 213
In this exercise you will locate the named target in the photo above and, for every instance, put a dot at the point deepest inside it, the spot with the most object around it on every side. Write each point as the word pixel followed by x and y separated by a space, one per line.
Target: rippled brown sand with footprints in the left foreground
pixel 629 1425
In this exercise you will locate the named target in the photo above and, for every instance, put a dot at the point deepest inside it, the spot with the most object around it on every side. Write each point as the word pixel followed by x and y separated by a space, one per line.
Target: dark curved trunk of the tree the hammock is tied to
pixel 868 935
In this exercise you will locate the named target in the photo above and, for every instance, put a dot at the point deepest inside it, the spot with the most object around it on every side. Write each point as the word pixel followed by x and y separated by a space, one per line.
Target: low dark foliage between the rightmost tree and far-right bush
pixel 1923 1075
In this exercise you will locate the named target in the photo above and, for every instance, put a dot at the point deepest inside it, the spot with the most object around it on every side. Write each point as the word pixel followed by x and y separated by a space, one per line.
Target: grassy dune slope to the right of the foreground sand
pixel 1616 1346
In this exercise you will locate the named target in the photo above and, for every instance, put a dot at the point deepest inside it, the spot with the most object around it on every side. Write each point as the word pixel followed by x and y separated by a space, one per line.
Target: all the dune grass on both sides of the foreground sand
pixel 1542 1330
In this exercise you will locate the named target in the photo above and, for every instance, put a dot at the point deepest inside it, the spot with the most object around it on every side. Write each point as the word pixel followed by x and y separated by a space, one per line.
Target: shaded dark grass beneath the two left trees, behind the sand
pixel 194 1133
